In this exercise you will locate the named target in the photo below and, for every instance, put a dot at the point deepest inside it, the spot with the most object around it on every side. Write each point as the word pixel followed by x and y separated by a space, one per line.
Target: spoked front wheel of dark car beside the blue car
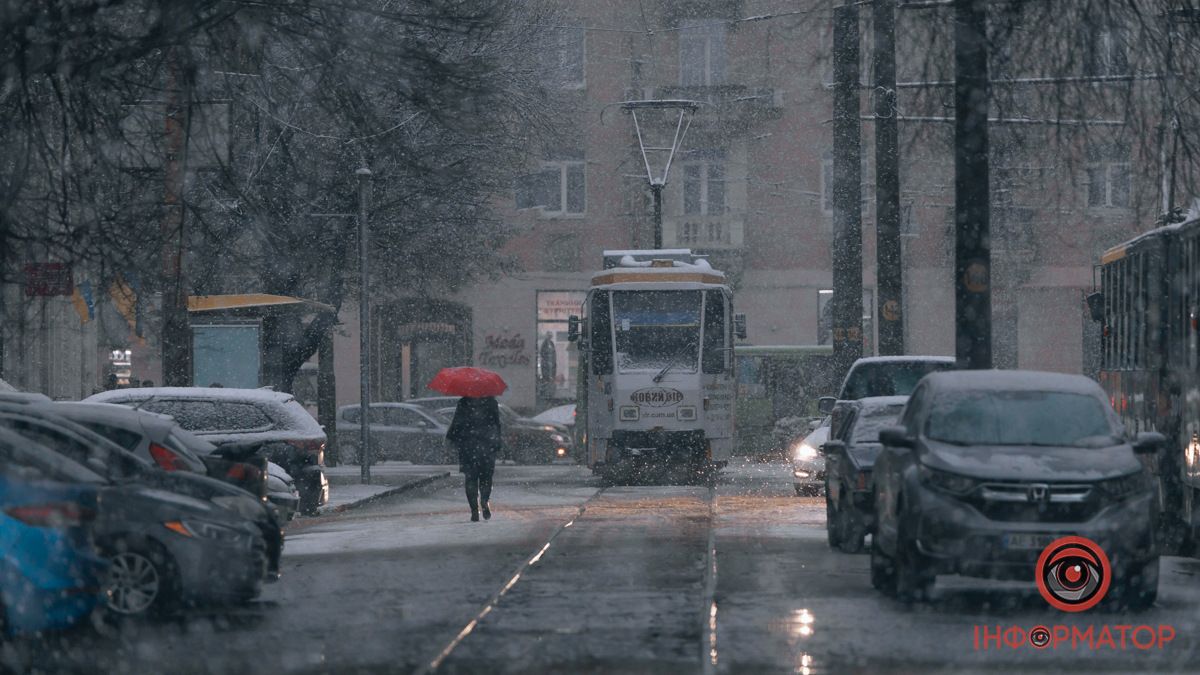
pixel 142 581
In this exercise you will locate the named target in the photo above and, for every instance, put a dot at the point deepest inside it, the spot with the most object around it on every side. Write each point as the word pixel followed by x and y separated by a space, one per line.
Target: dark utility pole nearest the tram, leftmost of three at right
pixel 848 192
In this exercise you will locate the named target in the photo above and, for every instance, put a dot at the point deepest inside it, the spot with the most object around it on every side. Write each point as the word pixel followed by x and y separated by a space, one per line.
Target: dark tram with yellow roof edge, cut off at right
pixel 1149 304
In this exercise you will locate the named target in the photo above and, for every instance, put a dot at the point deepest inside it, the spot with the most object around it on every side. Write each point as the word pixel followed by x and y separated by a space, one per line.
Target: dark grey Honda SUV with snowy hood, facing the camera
pixel 988 468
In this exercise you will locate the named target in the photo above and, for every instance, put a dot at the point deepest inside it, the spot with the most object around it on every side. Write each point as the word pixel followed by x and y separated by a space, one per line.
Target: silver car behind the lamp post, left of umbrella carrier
pixel 399 432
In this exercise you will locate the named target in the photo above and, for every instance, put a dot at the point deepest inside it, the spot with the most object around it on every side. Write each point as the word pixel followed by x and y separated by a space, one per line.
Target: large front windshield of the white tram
pixel 657 330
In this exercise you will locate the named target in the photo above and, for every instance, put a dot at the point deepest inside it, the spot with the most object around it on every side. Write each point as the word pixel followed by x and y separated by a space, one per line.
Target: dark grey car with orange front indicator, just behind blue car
pixel 129 530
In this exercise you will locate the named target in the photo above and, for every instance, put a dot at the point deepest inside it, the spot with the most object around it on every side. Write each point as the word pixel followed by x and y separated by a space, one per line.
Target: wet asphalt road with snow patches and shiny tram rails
pixel 573 578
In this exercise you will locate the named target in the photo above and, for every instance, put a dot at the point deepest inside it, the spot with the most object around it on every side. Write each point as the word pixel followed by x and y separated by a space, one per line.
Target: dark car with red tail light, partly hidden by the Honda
pixel 850 458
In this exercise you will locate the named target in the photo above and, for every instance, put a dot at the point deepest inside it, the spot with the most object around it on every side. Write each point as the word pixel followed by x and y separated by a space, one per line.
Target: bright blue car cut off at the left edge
pixel 51 577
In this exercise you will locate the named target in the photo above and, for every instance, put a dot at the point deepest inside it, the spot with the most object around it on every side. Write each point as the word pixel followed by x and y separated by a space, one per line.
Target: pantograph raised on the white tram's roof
pixel 662 127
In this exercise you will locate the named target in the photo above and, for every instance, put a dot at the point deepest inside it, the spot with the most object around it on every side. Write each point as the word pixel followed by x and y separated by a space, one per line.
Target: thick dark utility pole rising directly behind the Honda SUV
pixel 973 246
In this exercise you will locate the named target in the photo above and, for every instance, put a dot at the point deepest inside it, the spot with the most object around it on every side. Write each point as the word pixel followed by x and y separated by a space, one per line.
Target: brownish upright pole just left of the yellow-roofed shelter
pixel 177 368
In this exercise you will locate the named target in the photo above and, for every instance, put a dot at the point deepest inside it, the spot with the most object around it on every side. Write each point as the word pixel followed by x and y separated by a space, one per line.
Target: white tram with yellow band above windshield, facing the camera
pixel 656 392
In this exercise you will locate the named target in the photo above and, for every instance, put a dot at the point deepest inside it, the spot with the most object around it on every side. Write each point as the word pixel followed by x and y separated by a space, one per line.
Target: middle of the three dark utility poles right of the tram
pixel 889 255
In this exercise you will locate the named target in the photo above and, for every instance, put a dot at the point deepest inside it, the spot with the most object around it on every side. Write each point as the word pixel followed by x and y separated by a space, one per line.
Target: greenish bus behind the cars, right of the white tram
pixel 776 383
